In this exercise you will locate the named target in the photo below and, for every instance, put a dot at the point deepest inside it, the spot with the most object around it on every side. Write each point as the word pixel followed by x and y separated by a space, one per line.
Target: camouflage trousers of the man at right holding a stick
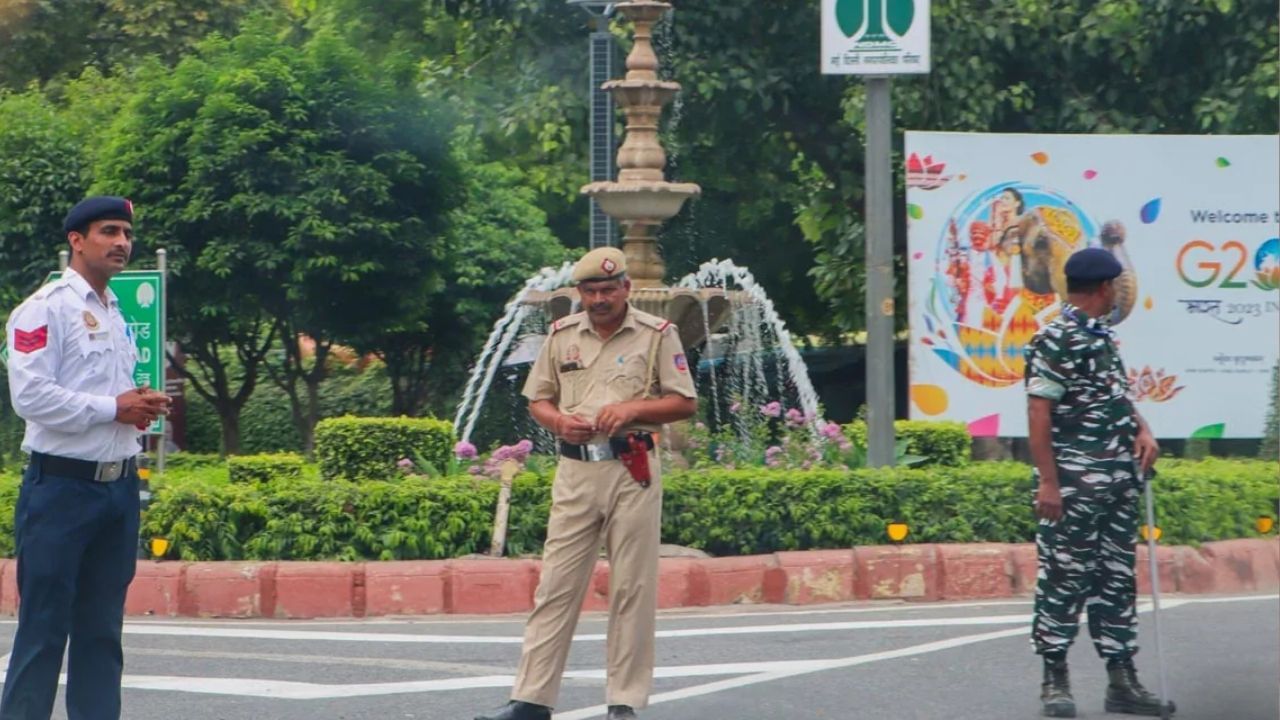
pixel 1087 560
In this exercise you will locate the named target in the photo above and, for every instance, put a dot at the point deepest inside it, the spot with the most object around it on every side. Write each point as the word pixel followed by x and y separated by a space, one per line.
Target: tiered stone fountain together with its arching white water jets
pixel 720 300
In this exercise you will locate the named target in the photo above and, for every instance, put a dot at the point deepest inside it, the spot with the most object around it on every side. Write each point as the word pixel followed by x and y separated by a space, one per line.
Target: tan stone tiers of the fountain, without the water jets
pixel 642 199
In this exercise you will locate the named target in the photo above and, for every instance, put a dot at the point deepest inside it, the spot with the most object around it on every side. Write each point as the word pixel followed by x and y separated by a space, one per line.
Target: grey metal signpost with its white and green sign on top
pixel 877 39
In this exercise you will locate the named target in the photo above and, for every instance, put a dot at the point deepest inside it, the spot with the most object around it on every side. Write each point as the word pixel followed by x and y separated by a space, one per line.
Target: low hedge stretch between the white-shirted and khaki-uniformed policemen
pixel 412 520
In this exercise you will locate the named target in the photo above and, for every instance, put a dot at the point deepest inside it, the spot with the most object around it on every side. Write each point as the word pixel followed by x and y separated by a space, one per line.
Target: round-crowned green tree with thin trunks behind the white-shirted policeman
pixel 301 193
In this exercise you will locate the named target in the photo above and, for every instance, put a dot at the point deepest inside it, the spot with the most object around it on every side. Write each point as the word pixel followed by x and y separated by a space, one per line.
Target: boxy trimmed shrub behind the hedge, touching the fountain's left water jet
pixel 368 449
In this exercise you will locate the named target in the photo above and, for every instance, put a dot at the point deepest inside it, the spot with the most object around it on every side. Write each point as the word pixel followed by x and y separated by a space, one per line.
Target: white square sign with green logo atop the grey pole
pixel 875 38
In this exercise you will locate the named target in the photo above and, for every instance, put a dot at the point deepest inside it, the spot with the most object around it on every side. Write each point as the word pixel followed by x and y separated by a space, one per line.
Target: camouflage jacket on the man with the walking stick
pixel 1073 362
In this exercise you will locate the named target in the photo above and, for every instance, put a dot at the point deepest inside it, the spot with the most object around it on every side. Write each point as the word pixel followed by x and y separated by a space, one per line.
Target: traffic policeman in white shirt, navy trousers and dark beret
pixel 71 379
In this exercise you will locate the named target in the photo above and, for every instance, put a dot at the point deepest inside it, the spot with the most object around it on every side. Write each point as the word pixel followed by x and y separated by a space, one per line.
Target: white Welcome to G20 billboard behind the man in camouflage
pixel 1195 220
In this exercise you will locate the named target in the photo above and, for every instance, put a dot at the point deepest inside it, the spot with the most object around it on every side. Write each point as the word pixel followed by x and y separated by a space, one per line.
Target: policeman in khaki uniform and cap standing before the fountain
pixel 605 382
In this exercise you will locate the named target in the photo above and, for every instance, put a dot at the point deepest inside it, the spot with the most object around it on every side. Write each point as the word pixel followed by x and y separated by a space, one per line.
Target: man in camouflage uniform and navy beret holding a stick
pixel 1087 443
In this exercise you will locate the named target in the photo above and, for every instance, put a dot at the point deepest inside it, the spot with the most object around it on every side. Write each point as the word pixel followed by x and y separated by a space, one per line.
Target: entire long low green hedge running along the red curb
pixel 725 513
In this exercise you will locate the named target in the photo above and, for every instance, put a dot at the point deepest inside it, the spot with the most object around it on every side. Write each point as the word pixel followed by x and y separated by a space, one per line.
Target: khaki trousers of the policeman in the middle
pixel 589 502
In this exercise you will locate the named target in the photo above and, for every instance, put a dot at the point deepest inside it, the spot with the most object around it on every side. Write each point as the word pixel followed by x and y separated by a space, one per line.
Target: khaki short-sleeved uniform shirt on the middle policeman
pixel 583 373
